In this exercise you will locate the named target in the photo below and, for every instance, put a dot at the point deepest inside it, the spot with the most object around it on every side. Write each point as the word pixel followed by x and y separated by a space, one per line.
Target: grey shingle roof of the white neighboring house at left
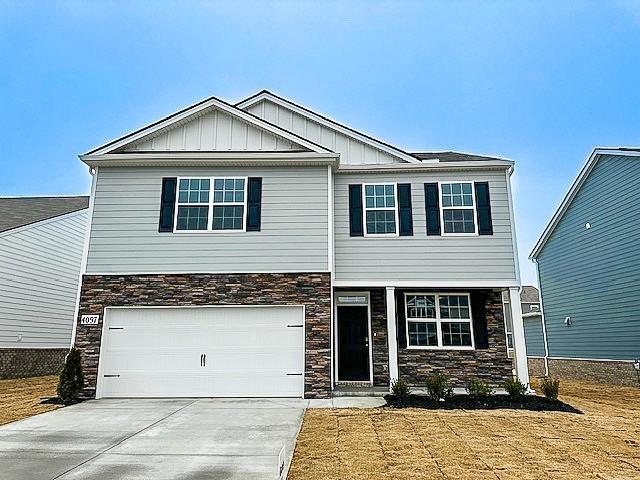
pixel 17 212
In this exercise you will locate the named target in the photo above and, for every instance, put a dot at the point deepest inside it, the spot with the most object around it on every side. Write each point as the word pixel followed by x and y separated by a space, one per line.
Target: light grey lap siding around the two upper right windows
pixel 421 257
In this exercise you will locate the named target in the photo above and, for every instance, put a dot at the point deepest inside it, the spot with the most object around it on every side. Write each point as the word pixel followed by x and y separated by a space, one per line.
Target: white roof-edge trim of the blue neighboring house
pixel 575 188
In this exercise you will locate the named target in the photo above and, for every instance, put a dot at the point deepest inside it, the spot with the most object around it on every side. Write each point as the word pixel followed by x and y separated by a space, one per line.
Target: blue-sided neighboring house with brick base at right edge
pixel 588 265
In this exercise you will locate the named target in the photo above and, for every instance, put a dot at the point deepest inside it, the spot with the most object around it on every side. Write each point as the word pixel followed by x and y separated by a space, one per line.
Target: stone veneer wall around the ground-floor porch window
pixel 491 365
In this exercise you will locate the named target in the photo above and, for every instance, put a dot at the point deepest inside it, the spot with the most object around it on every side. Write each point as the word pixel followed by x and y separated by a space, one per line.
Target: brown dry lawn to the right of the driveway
pixel 604 443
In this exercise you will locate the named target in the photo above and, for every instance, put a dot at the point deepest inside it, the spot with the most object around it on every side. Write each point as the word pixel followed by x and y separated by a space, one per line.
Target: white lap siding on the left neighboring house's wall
pixel 39 273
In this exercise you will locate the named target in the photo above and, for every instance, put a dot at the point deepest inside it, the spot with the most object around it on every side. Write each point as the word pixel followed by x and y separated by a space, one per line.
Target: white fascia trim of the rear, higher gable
pixel 322 120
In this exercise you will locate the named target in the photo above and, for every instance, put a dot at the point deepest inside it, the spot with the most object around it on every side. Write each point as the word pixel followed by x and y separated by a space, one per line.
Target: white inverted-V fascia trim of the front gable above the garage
pixel 199 107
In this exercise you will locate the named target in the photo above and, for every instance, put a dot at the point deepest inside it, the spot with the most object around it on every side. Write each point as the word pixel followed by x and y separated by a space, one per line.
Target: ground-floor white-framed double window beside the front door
pixel 439 320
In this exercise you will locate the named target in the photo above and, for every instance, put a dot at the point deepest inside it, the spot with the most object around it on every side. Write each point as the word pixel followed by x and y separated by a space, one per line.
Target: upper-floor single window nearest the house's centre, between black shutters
pixel 381 209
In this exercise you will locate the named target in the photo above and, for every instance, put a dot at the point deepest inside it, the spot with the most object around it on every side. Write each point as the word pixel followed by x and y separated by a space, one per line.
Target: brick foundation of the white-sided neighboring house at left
pixel 31 362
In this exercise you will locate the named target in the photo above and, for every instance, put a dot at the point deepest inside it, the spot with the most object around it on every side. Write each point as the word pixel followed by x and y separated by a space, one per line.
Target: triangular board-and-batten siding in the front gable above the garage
pixel 213 130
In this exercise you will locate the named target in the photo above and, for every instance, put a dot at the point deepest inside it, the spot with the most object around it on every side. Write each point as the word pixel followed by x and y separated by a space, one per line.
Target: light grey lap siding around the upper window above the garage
pixel 125 239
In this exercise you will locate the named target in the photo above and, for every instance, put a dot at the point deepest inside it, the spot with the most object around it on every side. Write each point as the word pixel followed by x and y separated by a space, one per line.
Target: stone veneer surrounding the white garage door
pixel 310 289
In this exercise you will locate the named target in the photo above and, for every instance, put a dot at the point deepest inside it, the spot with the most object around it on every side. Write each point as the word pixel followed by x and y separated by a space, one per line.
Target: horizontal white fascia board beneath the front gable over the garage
pixel 211 159
